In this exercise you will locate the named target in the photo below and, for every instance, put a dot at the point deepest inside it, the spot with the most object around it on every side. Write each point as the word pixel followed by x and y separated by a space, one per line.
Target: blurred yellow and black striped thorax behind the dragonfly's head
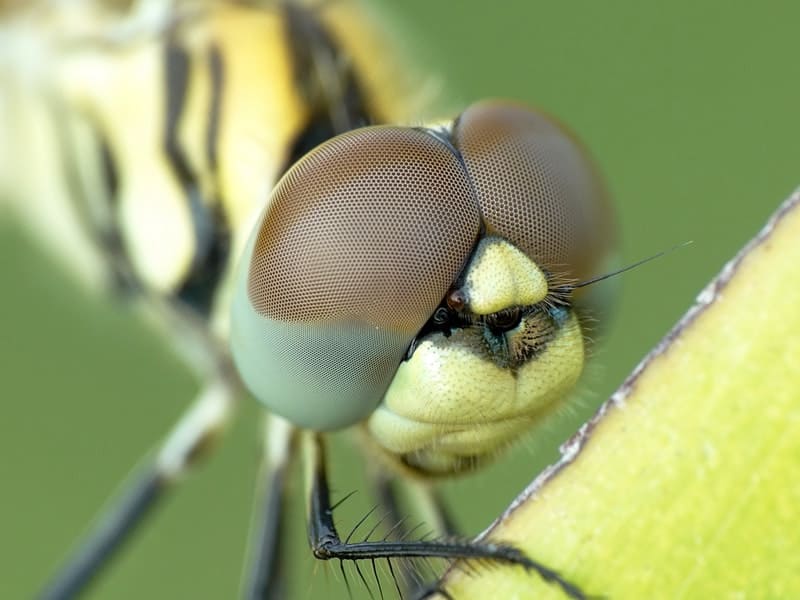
pixel 173 130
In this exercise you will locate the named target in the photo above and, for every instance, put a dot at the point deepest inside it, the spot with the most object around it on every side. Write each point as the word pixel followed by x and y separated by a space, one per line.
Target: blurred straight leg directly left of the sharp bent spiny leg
pixel 265 578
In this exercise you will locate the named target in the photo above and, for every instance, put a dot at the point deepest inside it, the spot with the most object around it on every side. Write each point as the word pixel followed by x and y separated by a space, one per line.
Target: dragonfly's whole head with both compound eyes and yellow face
pixel 414 280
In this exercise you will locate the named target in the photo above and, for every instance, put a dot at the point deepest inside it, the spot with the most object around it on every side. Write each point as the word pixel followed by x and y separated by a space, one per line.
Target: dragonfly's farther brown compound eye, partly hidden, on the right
pixel 537 187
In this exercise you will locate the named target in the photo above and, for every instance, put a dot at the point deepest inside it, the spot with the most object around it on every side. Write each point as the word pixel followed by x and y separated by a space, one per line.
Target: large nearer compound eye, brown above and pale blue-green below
pixel 359 244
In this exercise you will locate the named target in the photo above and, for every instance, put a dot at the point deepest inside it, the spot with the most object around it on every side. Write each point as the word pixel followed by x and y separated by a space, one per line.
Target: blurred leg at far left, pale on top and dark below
pixel 193 433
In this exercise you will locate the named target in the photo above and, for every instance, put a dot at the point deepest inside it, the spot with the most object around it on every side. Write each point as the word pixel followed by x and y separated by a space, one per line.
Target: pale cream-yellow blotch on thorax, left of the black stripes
pixel 116 91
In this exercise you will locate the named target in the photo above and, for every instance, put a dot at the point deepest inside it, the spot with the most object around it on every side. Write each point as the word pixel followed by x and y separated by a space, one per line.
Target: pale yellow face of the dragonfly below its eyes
pixel 466 393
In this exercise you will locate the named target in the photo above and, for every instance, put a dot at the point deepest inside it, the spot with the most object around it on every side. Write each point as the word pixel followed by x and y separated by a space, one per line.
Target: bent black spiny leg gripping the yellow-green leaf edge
pixel 326 543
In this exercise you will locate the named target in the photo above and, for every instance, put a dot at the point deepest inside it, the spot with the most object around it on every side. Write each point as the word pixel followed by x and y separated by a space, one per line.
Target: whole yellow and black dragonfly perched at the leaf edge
pixel 250 177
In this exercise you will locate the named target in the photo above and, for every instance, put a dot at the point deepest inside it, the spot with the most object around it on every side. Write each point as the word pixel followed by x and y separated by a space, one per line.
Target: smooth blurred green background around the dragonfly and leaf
pixel 691 110
